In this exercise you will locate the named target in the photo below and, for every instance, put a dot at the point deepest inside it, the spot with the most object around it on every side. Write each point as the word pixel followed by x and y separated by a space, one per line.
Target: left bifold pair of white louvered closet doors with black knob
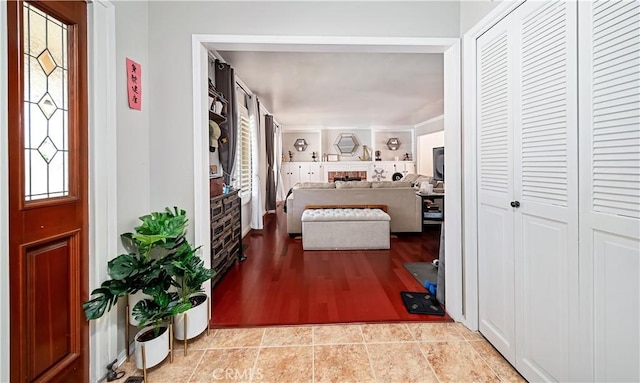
pixel 528 187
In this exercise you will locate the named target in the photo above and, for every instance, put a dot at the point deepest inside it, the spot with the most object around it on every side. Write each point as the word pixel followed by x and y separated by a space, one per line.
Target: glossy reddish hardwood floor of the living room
pixel 280 284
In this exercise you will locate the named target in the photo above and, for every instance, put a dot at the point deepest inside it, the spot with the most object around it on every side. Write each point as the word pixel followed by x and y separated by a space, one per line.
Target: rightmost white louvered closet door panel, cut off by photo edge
pixel 610 189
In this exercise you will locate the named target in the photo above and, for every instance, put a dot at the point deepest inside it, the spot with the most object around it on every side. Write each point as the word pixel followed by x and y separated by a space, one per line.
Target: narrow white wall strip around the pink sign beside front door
pixel 132 35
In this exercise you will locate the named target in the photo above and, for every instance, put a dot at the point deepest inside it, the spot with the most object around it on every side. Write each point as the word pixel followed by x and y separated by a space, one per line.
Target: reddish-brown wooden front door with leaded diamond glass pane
pixel 48 190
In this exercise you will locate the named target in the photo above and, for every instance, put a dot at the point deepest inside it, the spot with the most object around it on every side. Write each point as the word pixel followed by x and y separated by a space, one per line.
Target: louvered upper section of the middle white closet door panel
pixel 544 122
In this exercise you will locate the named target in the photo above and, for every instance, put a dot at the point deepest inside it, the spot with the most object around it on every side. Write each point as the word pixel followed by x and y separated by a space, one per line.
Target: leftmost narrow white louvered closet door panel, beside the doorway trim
pixel 495 189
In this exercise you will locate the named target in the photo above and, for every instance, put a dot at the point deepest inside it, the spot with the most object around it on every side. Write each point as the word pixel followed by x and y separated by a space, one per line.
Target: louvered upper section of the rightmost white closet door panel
pixel 616 109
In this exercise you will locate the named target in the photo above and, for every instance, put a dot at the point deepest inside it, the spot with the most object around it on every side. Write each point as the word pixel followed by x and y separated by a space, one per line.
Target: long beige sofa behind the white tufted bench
pixel 403 205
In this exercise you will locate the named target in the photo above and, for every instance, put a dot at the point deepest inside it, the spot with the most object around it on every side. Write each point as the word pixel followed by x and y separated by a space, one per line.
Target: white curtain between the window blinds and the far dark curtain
pixel 257 132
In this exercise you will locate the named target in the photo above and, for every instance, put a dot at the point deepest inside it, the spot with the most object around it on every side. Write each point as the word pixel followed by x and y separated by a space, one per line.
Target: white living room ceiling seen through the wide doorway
pixel 343 89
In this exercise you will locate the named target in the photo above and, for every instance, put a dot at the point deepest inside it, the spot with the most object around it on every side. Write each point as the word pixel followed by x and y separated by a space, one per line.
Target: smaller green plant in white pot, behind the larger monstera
pixel 190 274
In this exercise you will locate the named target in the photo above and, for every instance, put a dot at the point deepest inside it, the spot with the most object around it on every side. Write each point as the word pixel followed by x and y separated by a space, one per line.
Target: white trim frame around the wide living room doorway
pixel 450 48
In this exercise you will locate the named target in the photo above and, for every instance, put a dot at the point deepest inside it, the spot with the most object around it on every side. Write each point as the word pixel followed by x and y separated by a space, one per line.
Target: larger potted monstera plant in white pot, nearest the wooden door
pixel 144 276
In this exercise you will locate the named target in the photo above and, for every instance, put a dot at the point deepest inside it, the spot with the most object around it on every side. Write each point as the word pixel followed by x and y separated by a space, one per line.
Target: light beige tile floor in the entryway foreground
pixel 401 352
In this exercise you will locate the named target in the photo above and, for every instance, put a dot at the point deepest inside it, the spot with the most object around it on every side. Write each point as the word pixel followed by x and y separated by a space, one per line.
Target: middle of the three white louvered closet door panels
pixel 546 187
